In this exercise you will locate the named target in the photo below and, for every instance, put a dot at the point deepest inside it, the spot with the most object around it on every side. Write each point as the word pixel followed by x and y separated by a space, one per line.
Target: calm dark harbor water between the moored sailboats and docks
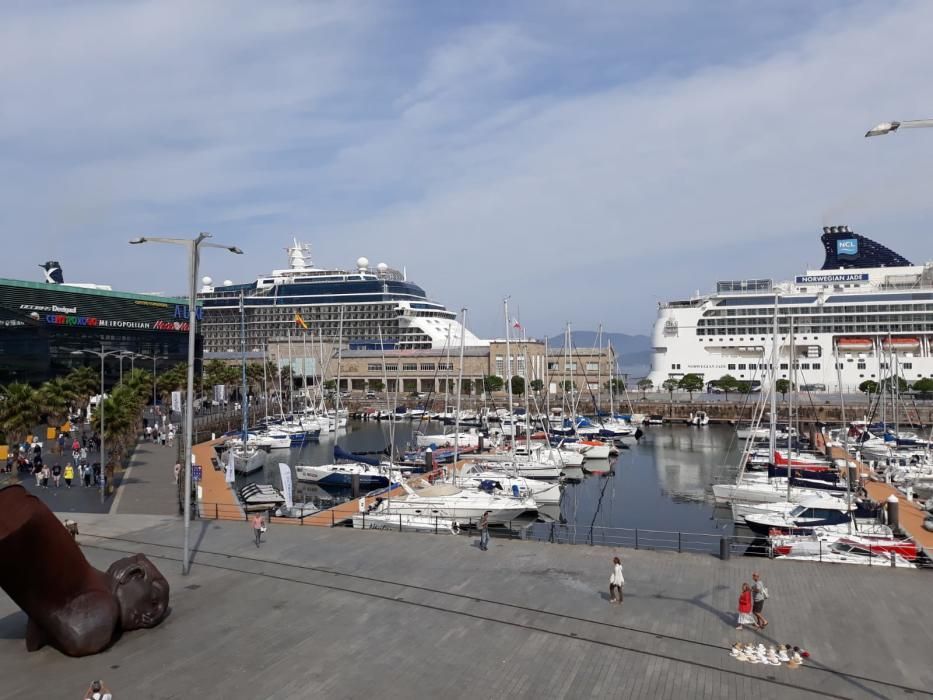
pixel 660 484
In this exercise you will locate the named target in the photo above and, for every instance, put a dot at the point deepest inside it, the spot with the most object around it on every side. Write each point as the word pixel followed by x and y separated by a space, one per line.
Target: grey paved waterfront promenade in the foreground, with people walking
pixel 342 613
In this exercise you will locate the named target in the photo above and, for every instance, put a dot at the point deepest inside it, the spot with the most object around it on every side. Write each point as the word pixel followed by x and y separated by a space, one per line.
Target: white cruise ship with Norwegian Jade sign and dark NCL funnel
pixel 867 313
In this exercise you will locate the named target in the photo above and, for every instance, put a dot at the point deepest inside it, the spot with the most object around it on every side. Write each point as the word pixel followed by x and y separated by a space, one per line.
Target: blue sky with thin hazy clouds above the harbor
pixel 586 159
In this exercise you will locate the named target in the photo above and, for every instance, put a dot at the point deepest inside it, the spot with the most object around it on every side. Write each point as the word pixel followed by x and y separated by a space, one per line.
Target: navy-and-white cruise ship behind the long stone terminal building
pixel 366 308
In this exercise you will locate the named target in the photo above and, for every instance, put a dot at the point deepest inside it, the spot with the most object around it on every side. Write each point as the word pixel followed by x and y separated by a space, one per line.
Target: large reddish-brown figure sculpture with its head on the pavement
pixel 71 605
